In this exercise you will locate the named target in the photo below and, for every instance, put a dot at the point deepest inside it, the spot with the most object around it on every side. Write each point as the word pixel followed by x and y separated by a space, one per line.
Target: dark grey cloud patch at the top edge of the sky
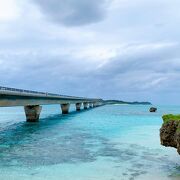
pixel 73 12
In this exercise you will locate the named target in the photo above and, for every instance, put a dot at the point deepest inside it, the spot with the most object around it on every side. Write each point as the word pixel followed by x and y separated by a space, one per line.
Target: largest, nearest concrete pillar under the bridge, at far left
pixel 32 113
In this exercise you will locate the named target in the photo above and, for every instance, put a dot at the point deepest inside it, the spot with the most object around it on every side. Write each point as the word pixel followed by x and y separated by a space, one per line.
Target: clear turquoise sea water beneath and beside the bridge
pixel 113 142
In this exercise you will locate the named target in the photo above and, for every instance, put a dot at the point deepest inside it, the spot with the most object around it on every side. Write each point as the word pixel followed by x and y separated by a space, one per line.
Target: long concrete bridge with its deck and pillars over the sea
pixel 31 100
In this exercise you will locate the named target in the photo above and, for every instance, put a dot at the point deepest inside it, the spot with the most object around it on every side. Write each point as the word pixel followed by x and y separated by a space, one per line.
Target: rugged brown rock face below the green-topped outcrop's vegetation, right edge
pixel 170 134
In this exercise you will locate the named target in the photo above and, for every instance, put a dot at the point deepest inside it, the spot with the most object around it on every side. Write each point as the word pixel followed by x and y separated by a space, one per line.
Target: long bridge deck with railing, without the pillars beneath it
pixel 20 97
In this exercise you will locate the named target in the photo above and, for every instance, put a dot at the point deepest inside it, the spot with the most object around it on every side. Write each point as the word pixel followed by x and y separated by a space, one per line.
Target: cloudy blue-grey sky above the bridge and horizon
pixel 110 49
